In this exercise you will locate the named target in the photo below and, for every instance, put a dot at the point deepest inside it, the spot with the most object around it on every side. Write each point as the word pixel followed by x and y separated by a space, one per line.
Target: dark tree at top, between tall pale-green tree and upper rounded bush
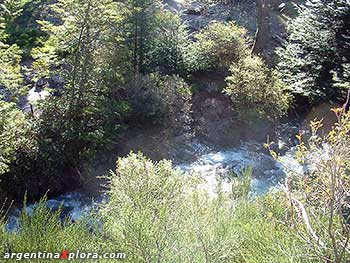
pixel 155 37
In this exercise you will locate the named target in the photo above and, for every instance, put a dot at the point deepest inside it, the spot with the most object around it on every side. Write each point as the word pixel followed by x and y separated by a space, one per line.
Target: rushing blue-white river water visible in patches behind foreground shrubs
pixel 211 164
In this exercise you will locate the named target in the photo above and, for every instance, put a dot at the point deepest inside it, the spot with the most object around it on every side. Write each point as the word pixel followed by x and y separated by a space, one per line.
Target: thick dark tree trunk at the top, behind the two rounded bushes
pixel 263 34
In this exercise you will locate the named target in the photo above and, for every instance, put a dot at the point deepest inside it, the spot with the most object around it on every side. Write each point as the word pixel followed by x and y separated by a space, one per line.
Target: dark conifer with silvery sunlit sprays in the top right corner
pixel 316 59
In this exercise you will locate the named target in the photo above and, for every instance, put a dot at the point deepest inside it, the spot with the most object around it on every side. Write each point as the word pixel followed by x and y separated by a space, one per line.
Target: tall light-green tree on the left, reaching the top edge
pixel 80 50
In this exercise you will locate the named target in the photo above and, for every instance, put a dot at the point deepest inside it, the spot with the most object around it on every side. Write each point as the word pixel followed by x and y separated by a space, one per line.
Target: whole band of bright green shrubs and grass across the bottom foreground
pixel 158 214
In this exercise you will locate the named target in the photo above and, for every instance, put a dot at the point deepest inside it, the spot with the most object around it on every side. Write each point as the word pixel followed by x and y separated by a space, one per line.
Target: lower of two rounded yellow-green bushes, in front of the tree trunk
pixel 256 91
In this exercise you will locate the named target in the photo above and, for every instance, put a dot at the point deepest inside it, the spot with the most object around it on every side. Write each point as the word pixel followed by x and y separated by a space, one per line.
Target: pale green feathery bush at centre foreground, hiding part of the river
pixel 146 210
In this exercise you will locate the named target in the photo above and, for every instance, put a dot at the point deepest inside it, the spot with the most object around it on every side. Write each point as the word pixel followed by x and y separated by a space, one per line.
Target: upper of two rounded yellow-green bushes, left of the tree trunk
pixel 217 47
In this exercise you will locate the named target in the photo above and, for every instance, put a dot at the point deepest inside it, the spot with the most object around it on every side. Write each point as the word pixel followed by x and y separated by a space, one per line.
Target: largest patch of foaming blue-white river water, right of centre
pixel 267 173
